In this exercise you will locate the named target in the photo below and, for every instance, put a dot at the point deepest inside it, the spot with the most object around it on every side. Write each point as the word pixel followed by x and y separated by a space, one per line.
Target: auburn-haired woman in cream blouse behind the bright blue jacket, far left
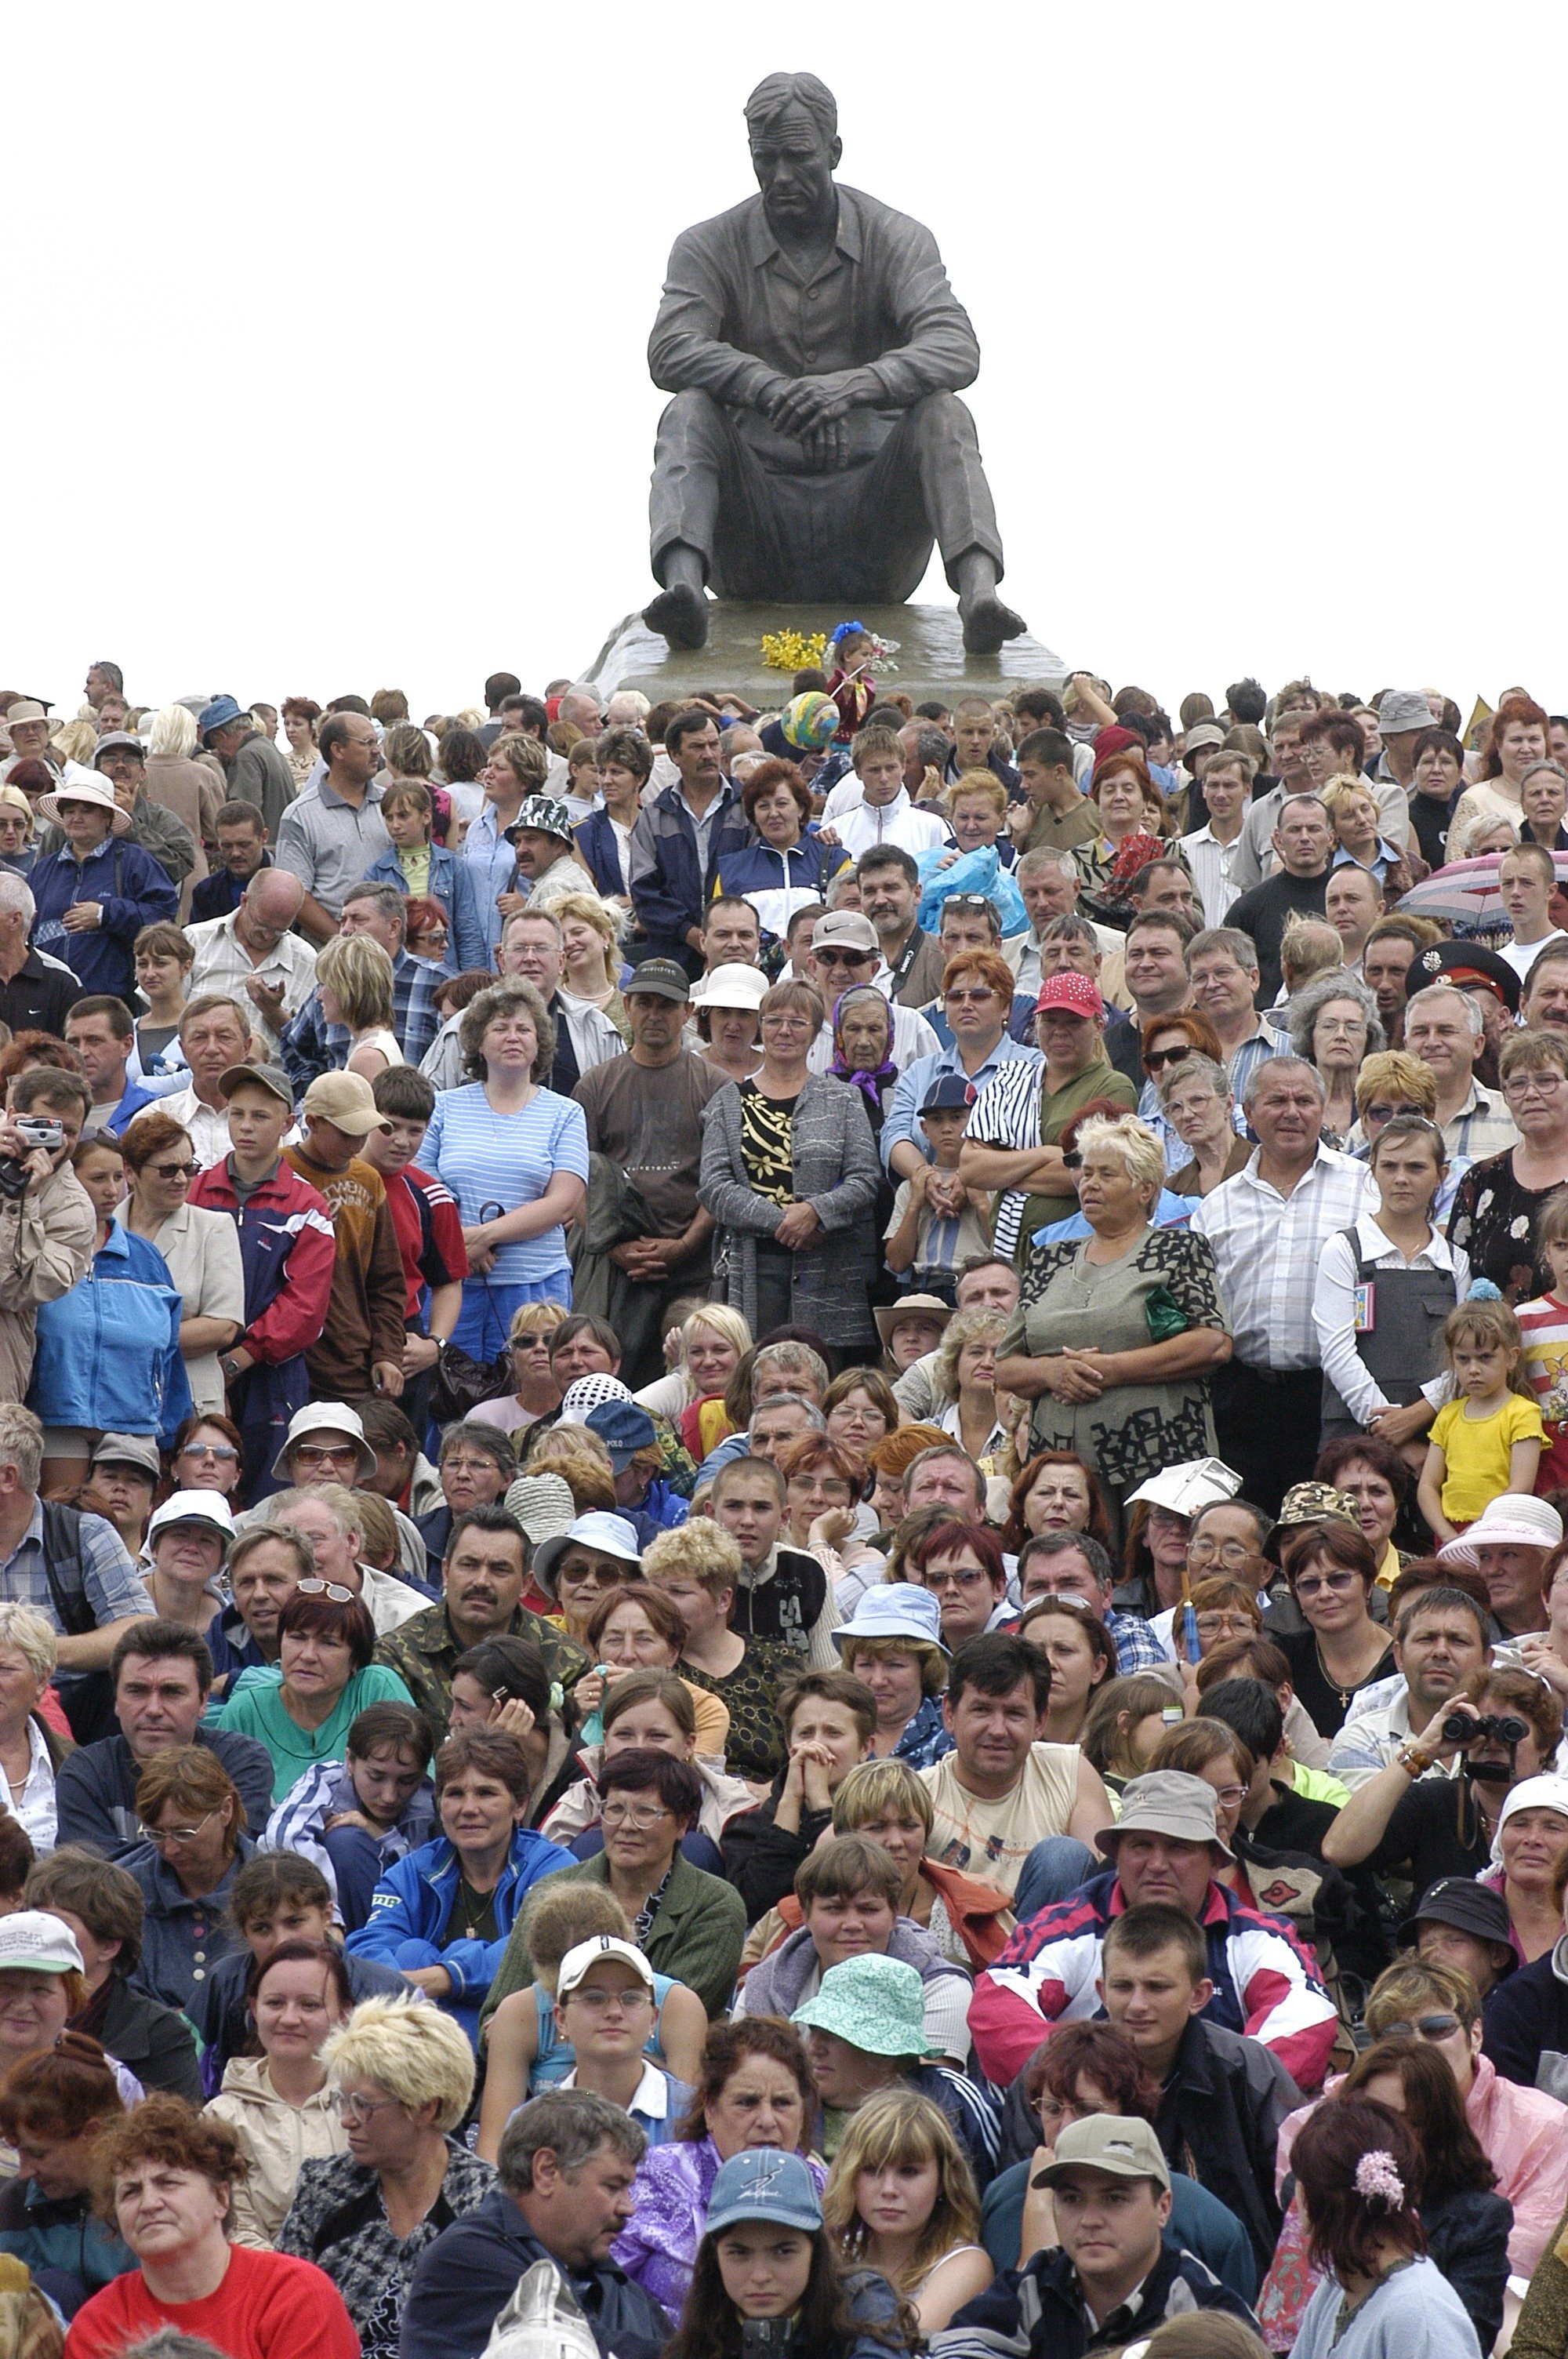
pixel 202 1249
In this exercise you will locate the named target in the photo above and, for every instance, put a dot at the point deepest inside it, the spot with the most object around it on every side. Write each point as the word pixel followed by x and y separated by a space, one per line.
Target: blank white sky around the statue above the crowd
pixel 338 374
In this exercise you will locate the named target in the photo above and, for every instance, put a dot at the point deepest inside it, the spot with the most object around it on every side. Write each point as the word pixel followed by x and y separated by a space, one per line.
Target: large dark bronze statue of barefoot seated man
pixel 815 447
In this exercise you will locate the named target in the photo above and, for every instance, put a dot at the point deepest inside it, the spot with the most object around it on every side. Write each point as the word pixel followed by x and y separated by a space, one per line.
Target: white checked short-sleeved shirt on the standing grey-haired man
pixel 1267 1251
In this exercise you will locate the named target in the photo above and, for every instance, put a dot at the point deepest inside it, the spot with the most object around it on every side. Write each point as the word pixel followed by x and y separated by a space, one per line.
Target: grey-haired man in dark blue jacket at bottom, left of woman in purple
pixel 565 2167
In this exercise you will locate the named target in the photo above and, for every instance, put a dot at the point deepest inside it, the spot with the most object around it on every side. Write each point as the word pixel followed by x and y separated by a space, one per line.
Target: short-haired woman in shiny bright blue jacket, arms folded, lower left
pixel 442 1917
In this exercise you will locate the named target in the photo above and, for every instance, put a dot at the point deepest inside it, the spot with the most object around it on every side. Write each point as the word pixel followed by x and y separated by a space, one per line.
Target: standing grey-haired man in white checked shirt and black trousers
pixel 1267 1230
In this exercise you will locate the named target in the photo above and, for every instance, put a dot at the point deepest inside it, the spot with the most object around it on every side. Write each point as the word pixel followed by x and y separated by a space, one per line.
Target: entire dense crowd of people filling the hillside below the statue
pixel 782 1525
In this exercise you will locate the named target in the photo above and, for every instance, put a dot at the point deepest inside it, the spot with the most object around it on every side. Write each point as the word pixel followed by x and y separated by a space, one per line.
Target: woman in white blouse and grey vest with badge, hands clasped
pixel 1385 1292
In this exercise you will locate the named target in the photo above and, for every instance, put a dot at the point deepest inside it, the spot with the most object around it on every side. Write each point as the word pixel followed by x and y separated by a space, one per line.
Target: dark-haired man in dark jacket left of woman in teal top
pixel 162 1683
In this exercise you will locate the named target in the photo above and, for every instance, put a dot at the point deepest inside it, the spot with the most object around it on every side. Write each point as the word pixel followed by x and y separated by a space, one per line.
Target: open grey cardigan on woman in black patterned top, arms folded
pixel 836 1171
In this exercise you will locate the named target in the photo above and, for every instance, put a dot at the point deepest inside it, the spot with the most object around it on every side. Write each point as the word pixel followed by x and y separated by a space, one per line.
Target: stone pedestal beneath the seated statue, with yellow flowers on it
pixel 930 662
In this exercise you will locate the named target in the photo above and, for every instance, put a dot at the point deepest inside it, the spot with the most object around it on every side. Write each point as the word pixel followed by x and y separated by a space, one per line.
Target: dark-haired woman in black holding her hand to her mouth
pixel 829 1723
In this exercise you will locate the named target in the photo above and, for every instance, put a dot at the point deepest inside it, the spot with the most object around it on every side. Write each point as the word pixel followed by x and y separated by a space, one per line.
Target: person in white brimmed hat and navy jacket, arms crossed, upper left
pixel 95 895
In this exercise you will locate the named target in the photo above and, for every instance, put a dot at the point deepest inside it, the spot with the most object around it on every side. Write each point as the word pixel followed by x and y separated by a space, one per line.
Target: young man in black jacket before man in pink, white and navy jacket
pixel 1223 2096
